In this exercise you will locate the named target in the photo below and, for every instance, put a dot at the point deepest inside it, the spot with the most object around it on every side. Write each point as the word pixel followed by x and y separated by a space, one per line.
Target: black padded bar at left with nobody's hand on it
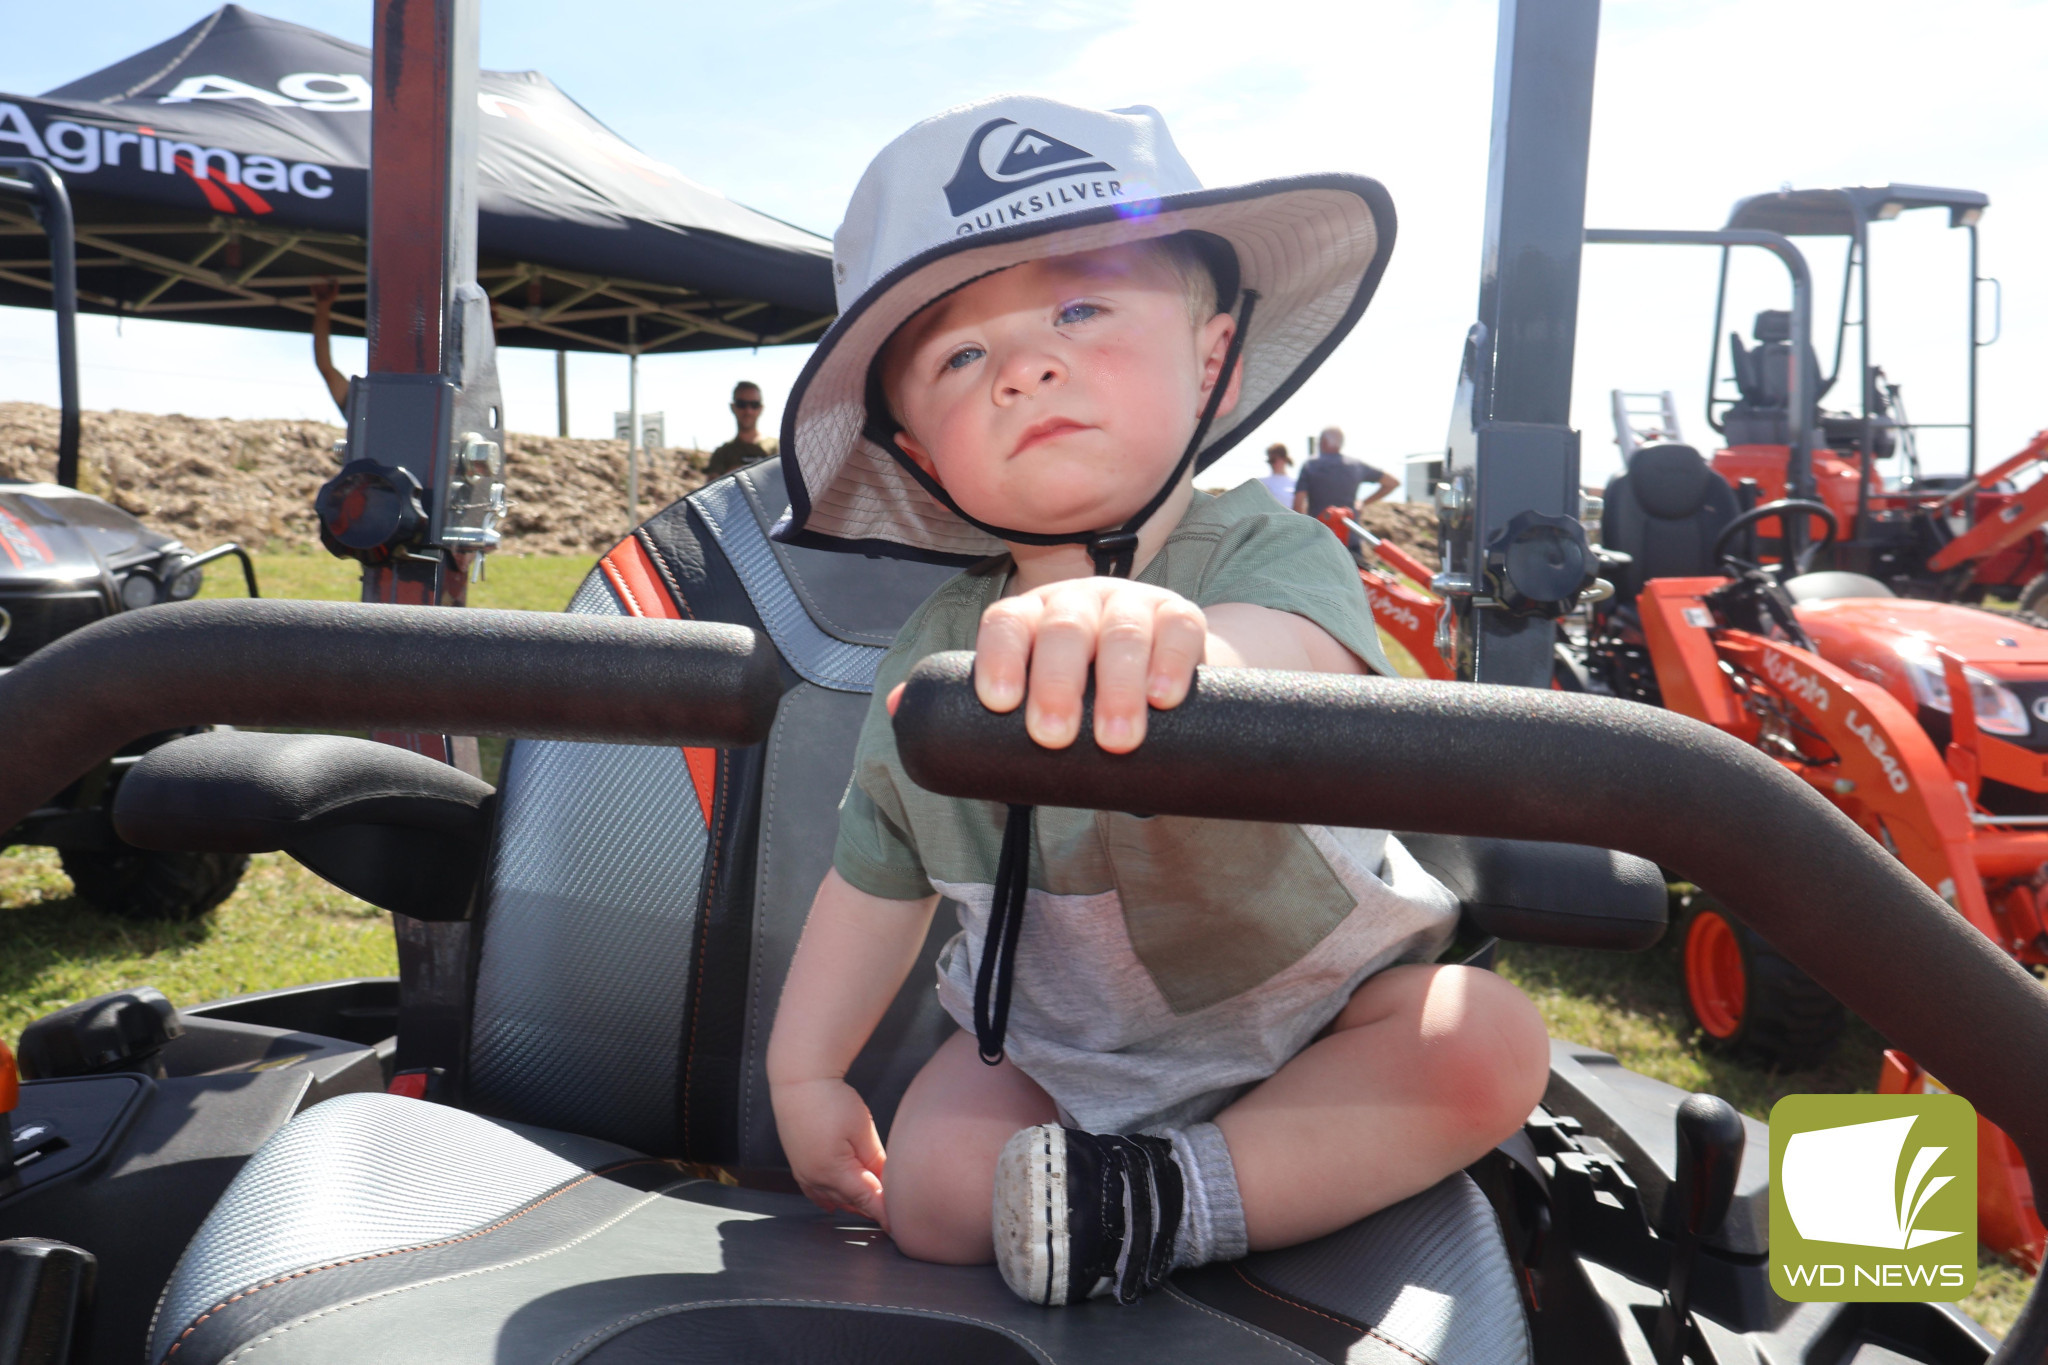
pixel 355 666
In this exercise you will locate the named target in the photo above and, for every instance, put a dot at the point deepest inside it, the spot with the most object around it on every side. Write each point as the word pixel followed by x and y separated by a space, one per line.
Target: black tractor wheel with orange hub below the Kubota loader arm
pixel 1748 1000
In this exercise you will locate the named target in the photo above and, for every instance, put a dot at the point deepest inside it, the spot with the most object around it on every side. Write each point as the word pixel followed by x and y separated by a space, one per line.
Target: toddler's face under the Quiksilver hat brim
pixel 1058 396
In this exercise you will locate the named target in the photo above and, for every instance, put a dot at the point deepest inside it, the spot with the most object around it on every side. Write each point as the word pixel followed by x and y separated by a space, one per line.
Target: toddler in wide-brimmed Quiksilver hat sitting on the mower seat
pixel 1183 1041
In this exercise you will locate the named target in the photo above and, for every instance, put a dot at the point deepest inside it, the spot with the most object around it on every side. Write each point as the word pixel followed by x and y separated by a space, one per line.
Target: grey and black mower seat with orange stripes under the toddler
pixel 636 920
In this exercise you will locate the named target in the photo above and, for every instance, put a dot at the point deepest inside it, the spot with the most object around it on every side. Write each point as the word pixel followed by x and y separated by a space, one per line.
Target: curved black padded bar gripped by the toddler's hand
pixel 1533 764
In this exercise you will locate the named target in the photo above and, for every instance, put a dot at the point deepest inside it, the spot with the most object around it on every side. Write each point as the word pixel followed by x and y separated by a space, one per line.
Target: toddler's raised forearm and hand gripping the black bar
pixel 1144 644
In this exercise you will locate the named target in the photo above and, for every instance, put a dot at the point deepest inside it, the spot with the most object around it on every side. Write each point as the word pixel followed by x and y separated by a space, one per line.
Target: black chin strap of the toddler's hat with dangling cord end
pixel 1115 554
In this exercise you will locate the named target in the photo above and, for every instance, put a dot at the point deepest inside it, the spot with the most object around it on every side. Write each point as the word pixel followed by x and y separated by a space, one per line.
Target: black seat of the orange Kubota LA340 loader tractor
pixel 1666 513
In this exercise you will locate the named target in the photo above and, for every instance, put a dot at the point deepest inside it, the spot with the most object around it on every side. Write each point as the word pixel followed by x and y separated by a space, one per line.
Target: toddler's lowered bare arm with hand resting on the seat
pixel 851 961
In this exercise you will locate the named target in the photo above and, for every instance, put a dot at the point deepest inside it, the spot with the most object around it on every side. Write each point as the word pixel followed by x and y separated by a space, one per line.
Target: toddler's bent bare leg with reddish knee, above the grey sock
pixel 1422 1073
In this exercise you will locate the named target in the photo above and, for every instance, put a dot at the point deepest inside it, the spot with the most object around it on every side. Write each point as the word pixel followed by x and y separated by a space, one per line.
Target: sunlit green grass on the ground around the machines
pixel 286 928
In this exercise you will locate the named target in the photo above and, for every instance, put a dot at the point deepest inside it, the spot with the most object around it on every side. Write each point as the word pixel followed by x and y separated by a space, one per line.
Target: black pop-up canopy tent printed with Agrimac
pixel 222 175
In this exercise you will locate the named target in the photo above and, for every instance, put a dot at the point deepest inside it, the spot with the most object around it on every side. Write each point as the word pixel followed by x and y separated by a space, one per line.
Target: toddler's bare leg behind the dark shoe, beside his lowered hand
pixel 943 1147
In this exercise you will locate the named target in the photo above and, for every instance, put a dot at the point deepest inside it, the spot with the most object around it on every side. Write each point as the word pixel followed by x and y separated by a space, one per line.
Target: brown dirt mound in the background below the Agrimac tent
pixel 210 480
